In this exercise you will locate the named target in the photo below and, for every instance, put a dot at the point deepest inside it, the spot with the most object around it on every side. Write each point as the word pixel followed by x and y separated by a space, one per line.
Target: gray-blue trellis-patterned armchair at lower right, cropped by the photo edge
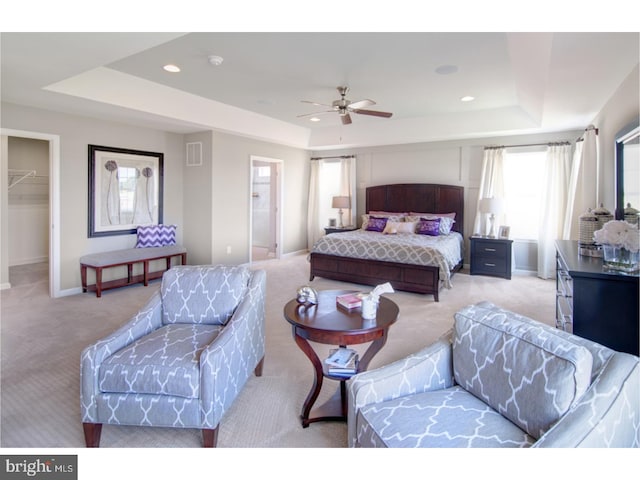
pixel 499 379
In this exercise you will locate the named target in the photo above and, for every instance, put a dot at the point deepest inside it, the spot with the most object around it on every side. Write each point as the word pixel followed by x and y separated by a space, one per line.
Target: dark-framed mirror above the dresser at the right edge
pixel 628 168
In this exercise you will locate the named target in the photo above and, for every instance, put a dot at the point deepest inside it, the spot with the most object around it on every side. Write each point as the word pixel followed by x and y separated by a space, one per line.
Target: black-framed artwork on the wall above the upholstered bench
pixel 125 190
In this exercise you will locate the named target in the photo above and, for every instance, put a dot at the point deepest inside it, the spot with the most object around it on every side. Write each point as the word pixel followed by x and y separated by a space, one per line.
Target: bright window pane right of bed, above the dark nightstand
pixel 523 177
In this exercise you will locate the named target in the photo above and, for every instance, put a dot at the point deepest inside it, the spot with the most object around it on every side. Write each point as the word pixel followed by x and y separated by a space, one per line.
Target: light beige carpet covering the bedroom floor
pixel 42 339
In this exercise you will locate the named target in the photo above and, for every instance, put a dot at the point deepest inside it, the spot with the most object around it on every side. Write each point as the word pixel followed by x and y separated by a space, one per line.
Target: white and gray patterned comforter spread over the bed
pixel 443 251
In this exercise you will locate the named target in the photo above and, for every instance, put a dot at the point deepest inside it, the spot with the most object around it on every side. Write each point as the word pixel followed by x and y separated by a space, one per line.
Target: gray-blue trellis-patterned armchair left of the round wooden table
pixel 183 358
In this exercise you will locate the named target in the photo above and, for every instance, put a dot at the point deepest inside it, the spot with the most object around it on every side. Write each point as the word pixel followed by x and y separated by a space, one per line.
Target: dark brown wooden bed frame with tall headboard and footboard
pixel 406 197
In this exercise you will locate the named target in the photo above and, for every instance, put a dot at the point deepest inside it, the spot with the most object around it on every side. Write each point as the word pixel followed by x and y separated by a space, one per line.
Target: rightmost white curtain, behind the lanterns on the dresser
pixel 583 183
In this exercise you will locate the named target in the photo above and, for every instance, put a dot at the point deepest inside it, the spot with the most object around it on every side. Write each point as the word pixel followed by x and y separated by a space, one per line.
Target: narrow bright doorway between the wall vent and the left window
pixel 266 181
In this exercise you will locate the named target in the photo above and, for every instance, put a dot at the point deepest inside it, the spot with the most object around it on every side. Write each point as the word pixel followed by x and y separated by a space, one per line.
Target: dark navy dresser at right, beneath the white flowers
pixel 595 303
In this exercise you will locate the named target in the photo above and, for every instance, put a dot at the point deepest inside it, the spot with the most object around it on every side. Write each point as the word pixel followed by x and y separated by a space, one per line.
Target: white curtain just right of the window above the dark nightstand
pixel 552 211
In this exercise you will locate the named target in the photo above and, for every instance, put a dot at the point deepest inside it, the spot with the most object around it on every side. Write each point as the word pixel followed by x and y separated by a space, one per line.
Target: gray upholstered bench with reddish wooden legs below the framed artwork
pixel 128 257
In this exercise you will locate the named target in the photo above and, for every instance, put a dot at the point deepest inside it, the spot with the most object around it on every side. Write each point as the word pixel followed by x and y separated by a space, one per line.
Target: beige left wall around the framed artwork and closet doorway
pixel 76 133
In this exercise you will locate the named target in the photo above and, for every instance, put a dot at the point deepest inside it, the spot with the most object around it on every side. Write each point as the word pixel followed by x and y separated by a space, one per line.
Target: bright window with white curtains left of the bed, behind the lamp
pixel 322 187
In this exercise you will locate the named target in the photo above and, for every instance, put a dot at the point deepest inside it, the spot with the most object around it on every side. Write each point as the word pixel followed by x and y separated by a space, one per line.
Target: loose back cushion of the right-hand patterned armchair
pixel 519 367
